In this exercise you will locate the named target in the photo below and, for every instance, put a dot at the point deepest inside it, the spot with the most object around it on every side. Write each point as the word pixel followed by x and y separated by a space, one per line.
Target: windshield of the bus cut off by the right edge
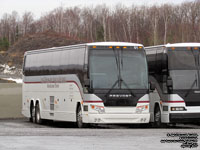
pixel 183 67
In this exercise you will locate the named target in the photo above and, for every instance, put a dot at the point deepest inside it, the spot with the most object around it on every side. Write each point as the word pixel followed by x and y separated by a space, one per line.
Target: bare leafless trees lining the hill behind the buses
pixel 149 25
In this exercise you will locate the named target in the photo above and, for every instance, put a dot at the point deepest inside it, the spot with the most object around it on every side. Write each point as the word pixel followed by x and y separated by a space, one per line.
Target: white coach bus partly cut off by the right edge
pixel 175 70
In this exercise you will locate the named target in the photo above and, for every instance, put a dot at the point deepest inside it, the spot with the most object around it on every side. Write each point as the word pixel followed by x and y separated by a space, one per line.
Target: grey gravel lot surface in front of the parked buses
pixel 20 134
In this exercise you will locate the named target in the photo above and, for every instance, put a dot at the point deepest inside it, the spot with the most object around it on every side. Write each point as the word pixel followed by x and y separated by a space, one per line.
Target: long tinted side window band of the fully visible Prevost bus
pixel 57 62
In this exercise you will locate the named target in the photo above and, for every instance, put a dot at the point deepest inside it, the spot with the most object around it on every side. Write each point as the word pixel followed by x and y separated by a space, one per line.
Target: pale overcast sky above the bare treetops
pixel 40 7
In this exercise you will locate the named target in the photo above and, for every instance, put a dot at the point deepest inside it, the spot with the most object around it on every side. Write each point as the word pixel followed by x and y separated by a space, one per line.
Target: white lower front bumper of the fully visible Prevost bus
pixel 116 118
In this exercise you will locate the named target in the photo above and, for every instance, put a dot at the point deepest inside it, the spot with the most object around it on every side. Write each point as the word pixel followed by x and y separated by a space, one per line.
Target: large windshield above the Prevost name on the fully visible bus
pixel 110 66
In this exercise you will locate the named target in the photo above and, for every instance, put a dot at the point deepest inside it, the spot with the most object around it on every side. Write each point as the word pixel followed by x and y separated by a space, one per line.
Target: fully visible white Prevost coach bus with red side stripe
pixel 98 83
